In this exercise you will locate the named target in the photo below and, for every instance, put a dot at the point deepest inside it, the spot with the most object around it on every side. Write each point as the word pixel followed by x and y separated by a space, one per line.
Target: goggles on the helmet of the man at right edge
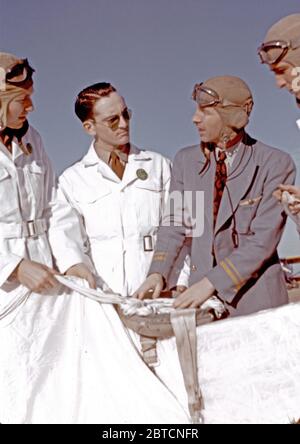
pixel 273 51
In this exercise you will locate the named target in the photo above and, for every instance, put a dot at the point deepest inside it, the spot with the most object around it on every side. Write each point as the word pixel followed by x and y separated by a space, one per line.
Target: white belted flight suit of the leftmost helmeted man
pixel 26 186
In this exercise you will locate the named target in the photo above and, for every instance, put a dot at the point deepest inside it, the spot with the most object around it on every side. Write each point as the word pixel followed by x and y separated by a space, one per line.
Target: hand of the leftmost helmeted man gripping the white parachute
pixel 37 277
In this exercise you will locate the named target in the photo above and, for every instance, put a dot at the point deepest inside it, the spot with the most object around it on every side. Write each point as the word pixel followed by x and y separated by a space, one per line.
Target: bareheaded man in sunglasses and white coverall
pixel 119 193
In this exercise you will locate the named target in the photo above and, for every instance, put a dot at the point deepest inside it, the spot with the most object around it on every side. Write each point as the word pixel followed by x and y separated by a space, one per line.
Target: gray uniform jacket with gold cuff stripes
pixel 247 275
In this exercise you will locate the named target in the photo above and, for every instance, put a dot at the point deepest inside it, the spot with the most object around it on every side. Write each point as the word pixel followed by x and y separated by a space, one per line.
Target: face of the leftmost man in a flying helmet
pixel 18 109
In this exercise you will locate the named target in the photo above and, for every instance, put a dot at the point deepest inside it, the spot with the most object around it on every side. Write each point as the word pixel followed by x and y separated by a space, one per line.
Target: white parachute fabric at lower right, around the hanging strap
pixel 248 368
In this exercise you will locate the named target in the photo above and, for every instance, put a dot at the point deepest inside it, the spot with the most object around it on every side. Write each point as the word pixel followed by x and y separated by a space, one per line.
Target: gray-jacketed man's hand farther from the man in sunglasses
pixel 196 295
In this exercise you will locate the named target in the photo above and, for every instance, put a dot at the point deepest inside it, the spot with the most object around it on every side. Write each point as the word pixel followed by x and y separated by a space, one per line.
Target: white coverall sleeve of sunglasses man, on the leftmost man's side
pixel 66 232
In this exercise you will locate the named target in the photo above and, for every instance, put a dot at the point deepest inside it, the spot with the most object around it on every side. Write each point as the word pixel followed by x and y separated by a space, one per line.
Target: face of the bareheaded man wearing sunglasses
pixel 110 123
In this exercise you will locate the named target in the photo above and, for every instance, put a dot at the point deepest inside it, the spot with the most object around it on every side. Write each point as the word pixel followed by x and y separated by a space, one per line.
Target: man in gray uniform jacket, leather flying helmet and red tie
pixel 236 256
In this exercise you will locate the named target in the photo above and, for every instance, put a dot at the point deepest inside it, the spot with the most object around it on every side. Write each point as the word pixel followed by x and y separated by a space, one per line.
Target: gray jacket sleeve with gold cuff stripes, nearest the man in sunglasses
pixel 172 232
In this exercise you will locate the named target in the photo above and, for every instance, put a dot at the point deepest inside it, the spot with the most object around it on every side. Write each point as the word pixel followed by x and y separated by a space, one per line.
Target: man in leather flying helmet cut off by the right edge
pixel 280 50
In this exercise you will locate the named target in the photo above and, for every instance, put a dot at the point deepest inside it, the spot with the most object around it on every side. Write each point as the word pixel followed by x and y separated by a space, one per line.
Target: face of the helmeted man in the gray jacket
pixel 209 124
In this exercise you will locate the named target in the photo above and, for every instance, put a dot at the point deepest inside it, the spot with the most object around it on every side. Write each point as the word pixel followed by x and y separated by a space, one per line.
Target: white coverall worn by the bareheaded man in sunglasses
pixel 120 218
